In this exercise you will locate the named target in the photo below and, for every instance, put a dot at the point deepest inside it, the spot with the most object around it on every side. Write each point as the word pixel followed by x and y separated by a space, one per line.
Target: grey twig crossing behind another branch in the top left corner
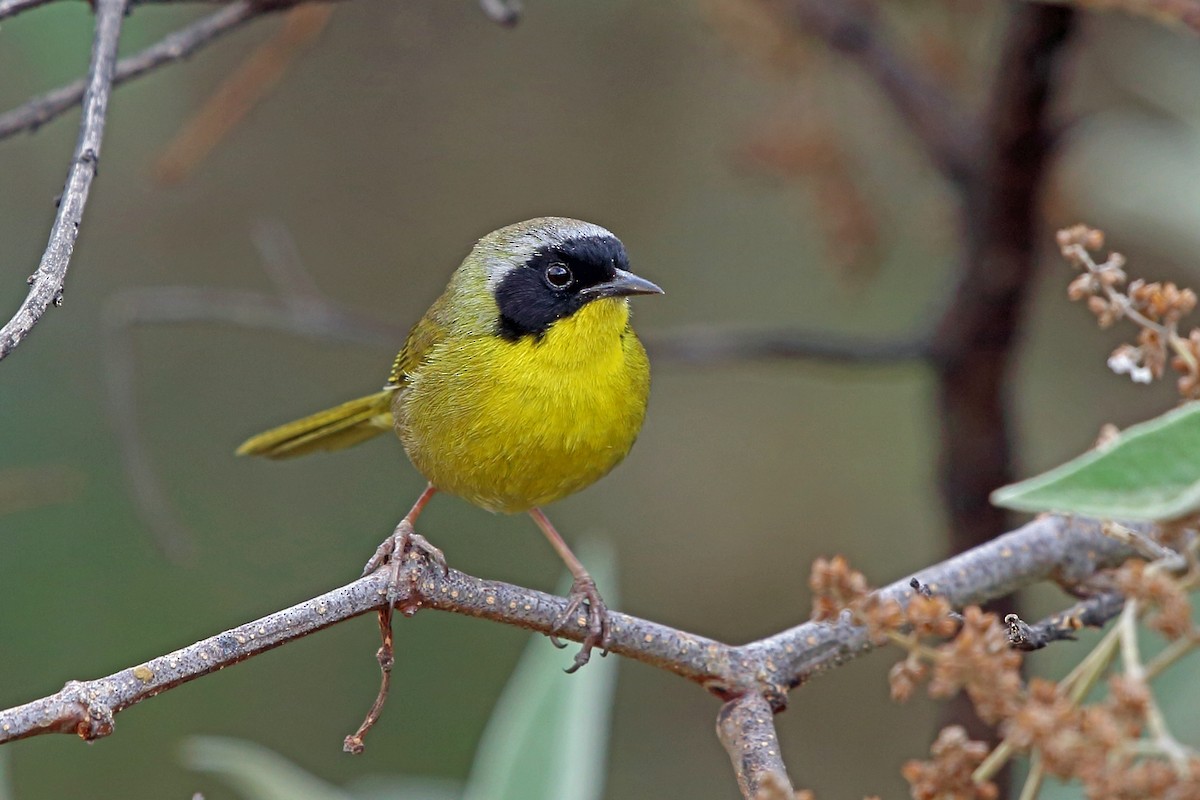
pixel 173 47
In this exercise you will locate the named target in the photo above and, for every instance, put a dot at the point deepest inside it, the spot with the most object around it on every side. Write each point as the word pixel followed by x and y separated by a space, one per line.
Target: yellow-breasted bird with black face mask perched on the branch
pixel 524 383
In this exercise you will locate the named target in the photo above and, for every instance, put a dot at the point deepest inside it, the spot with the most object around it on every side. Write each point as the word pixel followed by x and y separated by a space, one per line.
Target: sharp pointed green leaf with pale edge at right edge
pixel 1151 472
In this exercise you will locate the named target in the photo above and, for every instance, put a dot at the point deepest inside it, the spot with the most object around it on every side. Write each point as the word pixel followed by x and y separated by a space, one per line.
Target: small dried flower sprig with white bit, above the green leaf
pixel 1155 308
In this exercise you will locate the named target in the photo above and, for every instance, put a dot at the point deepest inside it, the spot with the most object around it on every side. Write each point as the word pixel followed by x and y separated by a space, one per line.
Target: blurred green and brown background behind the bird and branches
pixel 406 133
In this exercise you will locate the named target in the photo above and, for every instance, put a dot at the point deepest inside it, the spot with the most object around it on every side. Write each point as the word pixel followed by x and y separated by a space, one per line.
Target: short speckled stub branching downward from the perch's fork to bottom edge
pixel 747 727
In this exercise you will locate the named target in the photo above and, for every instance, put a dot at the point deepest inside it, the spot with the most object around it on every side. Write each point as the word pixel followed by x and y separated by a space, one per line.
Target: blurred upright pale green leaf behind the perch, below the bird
pixel 549 735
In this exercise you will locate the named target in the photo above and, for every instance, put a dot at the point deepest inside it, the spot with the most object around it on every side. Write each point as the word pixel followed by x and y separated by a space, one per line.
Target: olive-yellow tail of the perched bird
pixel 334 429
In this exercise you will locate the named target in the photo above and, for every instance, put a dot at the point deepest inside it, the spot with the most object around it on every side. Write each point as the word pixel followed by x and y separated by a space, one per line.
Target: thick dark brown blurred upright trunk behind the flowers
pixel 977 333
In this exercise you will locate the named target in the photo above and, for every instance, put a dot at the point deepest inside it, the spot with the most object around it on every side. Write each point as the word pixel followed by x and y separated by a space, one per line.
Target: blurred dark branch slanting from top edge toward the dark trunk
pixel 851 27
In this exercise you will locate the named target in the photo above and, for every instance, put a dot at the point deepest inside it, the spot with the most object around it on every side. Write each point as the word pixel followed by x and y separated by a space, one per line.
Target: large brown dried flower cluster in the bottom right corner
pixel 1117 748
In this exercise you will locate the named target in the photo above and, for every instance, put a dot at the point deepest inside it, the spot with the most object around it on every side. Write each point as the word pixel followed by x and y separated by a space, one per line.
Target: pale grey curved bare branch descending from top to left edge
pixel 49 281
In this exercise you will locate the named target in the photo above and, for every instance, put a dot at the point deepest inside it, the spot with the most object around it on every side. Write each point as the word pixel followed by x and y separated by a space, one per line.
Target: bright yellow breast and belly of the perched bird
pixel 515 425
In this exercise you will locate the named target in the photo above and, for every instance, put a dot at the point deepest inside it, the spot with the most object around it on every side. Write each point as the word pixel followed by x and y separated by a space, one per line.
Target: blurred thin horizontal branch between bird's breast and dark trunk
pixel 715 347
